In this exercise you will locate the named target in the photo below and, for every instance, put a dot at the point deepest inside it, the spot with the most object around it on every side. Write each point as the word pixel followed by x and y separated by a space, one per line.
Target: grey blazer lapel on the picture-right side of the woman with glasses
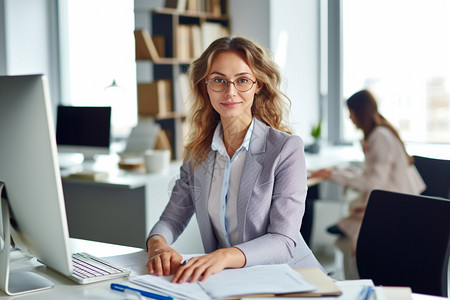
pixel 250 173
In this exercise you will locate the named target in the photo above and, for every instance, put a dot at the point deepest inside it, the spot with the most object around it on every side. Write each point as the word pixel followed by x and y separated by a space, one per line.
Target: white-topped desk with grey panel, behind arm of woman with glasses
pixel 122 208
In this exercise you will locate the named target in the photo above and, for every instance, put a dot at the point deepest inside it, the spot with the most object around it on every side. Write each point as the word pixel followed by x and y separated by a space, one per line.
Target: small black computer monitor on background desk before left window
pixel 83 129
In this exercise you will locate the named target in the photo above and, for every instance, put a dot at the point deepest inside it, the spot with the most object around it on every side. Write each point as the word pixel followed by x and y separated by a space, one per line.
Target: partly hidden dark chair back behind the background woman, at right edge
pixel 436 175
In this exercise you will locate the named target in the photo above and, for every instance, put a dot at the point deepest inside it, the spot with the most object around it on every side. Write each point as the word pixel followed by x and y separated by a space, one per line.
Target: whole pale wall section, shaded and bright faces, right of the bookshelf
pixel 290 29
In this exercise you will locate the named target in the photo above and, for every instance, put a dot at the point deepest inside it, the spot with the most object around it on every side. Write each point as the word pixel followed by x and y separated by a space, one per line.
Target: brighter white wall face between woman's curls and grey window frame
pixel 297 22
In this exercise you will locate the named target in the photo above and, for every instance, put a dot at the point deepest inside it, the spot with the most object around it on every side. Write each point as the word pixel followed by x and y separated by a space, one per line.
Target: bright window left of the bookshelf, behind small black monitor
pixel 97 49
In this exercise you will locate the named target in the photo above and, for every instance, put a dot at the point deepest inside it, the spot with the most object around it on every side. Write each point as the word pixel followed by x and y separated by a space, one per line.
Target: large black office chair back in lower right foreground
pixel 405 241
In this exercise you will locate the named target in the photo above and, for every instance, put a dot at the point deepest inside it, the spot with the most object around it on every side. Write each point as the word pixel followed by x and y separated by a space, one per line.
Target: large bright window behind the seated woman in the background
pixel 399 49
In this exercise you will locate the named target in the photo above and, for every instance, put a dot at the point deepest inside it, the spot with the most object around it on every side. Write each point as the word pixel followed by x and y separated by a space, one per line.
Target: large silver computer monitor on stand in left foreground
pixel 32 195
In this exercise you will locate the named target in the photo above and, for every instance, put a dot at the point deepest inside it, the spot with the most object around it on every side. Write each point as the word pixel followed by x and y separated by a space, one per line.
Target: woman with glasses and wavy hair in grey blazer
pixel 243 175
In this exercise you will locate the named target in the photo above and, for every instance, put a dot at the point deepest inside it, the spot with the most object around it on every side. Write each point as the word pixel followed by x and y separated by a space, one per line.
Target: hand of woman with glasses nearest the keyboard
pixel 162 259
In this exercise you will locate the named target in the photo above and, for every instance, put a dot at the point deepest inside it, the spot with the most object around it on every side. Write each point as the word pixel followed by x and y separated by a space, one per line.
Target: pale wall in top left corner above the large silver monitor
pixel 28 40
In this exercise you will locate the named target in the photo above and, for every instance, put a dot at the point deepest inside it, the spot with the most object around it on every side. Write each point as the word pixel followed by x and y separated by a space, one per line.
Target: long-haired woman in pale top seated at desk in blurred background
pixel 387 167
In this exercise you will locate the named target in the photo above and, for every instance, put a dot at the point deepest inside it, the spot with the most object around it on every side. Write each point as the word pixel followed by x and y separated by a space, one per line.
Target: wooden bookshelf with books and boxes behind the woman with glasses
pixel 179 33
